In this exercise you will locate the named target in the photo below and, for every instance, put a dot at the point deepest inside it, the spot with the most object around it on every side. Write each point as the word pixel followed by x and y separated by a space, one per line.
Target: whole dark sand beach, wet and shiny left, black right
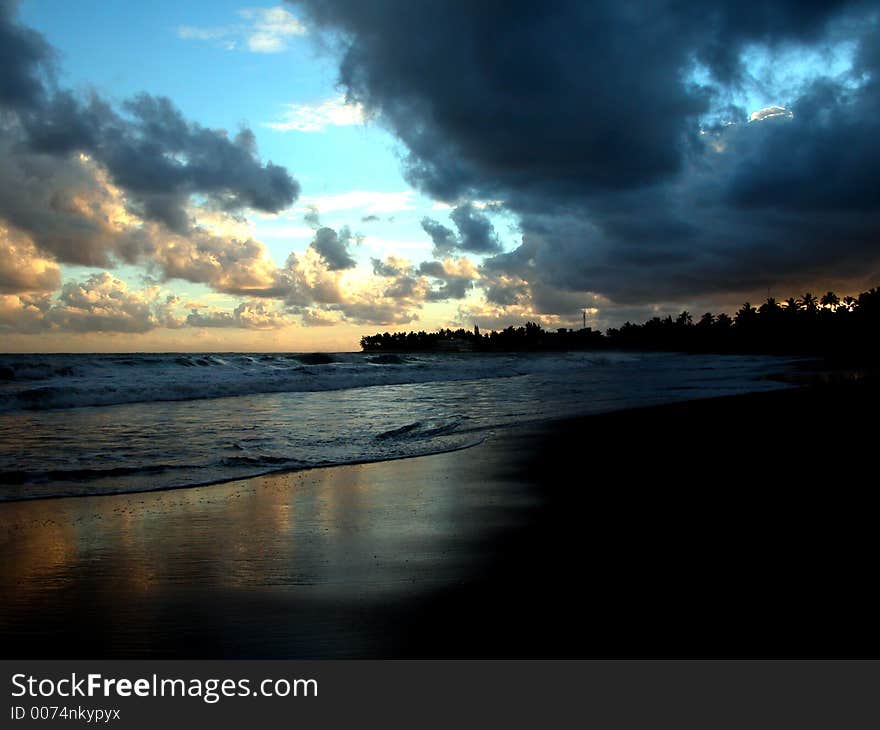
pixel 742 526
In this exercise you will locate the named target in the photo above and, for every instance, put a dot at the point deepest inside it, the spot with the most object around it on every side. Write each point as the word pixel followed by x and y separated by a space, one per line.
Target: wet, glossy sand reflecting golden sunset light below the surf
pixel 283 561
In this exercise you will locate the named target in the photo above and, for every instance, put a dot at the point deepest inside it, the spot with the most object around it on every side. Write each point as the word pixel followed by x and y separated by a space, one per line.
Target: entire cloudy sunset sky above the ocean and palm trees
pixel 291 176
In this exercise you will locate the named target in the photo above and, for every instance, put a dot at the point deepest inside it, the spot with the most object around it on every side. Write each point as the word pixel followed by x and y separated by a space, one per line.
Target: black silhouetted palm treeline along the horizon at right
pixel 827 325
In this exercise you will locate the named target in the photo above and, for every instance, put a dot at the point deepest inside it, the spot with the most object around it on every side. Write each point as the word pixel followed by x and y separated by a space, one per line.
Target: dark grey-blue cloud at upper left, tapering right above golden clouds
pixel 158 158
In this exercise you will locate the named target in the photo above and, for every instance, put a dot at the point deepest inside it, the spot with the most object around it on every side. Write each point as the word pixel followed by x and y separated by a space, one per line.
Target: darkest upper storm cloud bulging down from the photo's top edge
pixel 521 95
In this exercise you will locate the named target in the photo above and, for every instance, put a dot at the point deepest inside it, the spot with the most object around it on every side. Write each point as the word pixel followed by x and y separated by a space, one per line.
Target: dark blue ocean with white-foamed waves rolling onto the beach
pixel 74 425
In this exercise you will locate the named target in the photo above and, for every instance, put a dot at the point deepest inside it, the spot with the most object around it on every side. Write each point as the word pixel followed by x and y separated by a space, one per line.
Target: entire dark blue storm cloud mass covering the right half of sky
pixel 602 125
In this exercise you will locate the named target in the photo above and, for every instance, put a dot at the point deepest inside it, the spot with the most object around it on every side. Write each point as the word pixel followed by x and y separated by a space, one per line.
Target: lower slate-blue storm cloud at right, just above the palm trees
pixel 788 203
